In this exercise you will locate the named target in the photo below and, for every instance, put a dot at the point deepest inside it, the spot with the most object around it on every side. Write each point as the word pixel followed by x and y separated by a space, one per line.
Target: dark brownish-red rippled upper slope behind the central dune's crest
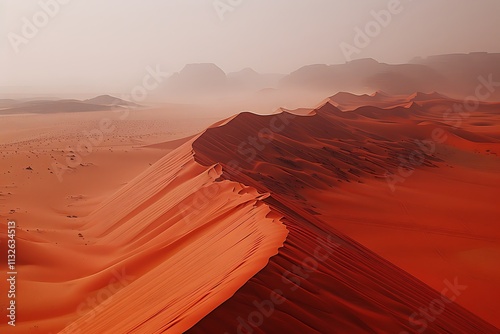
pixel 319 150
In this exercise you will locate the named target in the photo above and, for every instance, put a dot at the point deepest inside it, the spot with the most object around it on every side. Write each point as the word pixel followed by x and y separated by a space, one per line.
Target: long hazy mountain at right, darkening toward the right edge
pixel 456 75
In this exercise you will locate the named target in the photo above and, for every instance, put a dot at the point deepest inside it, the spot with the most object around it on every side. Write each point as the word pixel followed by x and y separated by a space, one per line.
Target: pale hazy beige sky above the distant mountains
pixel 107 44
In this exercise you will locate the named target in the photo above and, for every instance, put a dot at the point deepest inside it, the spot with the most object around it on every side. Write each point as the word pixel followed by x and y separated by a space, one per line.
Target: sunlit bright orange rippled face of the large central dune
pixel 174 221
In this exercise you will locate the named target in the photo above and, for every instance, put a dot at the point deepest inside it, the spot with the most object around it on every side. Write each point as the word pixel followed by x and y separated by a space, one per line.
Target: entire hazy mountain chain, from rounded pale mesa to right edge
pixel 453 75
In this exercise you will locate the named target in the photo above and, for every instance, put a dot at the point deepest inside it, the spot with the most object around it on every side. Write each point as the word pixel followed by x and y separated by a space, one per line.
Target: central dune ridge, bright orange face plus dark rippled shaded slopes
pixel 353 289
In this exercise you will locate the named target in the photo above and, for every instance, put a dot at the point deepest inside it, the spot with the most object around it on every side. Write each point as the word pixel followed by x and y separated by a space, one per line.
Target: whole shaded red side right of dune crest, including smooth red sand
pixel 307 165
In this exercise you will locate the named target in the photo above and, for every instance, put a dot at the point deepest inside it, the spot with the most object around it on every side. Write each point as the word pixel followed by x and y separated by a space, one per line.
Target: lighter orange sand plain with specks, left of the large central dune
pixel 50 214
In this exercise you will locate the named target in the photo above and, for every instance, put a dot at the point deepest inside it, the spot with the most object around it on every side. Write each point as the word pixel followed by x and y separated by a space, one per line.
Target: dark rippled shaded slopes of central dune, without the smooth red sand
pixel 353 290
